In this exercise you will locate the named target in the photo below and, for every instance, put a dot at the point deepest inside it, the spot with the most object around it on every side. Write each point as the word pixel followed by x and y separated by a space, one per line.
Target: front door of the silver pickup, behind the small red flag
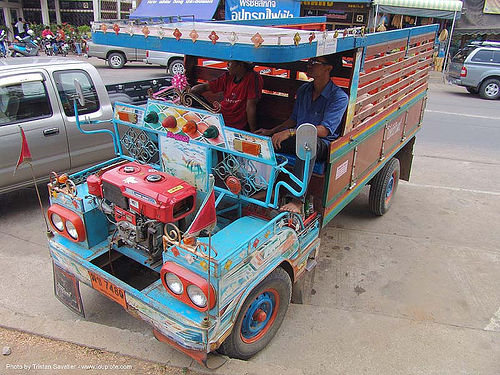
pixel 27 100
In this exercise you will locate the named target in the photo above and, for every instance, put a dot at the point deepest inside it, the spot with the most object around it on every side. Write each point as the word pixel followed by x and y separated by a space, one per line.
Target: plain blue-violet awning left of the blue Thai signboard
pixel 202 10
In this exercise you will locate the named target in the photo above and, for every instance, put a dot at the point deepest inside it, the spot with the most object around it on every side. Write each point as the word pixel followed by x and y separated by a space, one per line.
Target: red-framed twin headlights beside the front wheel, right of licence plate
pixel 187 286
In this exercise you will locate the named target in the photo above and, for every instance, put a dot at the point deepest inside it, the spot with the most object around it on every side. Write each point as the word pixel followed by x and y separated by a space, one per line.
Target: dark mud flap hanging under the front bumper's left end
pixel 67 289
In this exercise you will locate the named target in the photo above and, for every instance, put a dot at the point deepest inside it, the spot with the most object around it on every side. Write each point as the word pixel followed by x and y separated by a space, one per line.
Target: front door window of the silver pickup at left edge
pixel 23 102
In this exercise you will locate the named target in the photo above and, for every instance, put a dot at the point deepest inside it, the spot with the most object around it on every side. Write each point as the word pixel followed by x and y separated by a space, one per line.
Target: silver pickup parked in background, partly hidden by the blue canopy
pixel 117 57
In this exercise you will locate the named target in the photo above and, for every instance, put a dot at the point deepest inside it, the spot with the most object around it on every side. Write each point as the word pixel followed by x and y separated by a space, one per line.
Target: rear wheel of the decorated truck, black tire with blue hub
pixel 383 187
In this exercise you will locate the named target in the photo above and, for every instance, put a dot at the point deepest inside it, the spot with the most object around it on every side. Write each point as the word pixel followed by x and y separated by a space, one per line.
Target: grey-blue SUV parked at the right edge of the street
pixel 477 68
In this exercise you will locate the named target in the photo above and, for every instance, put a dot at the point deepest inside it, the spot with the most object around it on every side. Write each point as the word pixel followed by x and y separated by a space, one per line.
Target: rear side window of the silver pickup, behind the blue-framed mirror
pixel 65 81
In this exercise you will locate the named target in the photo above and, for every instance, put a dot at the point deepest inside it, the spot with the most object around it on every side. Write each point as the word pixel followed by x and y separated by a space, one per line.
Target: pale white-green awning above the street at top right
pixel 421 8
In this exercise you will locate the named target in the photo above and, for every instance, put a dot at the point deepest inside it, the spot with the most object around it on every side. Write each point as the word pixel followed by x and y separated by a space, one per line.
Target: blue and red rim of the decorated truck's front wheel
pixel 251 328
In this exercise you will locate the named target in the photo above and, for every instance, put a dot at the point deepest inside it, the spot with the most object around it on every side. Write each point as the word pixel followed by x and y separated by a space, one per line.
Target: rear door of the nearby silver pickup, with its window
pixel 85 149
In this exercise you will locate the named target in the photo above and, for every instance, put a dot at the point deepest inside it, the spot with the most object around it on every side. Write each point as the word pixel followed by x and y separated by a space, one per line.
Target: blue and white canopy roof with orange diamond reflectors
pixel 230 41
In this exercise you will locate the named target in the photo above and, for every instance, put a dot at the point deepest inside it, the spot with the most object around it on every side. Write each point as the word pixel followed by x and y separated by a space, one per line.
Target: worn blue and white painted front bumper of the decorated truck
pixel 172 320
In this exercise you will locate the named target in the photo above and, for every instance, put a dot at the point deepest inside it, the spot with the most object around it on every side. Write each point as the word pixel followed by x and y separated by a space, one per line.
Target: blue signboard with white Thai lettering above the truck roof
pixel 261 9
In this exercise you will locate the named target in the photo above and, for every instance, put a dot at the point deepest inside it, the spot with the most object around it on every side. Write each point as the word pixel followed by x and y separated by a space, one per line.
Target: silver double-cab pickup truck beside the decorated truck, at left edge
pixel 38 94
